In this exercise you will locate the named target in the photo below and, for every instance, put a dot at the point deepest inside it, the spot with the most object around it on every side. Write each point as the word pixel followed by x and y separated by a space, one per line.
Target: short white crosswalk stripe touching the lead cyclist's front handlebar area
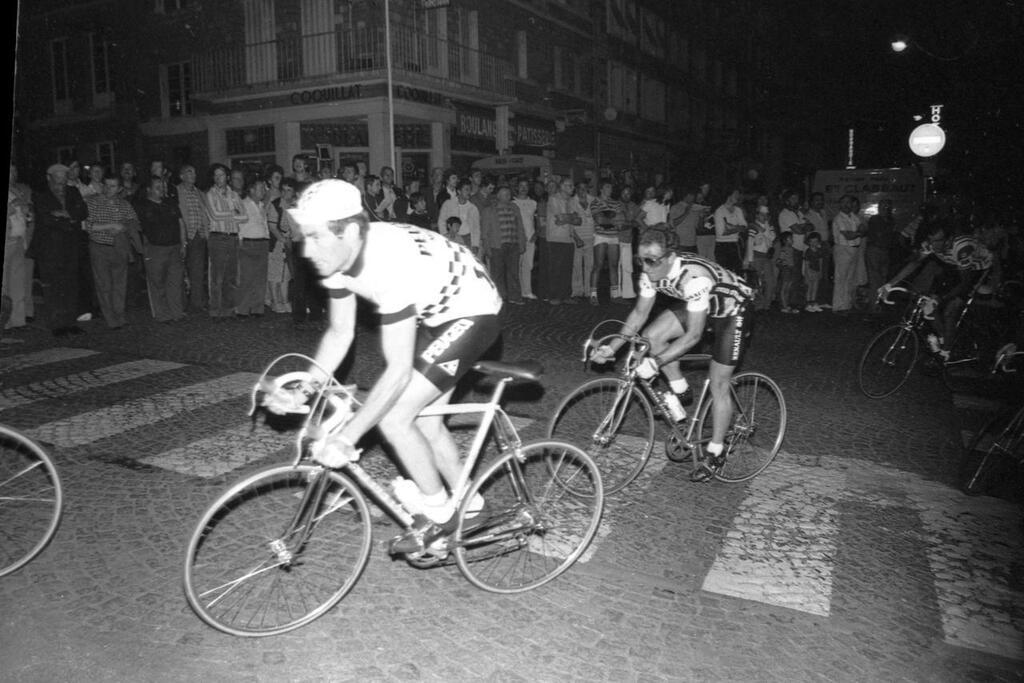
pixel 223 452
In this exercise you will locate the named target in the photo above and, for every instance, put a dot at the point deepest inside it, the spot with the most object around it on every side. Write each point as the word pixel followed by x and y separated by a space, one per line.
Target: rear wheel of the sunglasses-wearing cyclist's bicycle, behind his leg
pixel 757 430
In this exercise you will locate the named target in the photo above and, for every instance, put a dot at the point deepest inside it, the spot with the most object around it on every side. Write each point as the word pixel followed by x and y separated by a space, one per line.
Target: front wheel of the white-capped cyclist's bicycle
pixel 267 559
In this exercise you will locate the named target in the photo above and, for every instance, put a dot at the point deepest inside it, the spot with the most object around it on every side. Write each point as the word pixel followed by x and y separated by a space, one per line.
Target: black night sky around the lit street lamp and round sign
pixel 841 51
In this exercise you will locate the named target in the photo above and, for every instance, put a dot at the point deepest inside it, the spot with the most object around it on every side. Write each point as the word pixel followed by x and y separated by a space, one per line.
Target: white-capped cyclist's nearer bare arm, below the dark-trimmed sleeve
pixel 399 347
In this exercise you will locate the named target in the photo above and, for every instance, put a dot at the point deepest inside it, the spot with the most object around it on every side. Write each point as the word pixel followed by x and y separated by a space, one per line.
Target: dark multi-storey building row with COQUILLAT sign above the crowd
pixel 666 88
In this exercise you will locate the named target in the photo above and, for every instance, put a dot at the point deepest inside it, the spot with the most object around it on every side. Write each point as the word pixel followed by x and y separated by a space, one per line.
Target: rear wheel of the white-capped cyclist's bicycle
pixel 533 527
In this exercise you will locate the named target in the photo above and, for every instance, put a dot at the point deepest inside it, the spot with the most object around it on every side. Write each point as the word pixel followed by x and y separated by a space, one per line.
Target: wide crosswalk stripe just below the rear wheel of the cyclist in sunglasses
pixel 783 542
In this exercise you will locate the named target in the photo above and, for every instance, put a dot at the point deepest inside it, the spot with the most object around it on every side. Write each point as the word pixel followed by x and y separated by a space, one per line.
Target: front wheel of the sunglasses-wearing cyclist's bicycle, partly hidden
pixel 624 453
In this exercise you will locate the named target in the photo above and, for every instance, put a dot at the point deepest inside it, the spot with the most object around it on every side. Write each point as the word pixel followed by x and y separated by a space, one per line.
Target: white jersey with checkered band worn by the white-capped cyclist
pixel 408 271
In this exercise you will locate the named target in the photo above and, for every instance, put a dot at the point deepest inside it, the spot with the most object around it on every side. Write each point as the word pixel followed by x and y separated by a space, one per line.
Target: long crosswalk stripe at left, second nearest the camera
pixel 95 425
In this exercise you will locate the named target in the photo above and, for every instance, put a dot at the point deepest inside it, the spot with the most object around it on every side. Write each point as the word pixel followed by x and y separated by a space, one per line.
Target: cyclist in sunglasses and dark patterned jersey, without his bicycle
pixel 708 295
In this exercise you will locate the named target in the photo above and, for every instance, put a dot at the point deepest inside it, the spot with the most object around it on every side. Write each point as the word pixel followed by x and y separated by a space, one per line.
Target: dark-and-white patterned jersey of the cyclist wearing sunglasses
pixel 702 284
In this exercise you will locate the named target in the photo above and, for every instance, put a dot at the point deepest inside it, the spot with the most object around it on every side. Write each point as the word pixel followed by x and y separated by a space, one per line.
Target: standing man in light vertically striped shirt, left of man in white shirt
pixel 227 215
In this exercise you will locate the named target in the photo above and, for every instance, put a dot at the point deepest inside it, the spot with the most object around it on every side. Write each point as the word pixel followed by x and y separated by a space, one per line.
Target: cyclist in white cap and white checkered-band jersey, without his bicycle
pixel 439 313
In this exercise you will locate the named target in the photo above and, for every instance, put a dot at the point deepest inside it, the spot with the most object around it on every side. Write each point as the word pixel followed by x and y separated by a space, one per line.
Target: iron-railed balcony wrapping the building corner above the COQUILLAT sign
pixel 310 59
